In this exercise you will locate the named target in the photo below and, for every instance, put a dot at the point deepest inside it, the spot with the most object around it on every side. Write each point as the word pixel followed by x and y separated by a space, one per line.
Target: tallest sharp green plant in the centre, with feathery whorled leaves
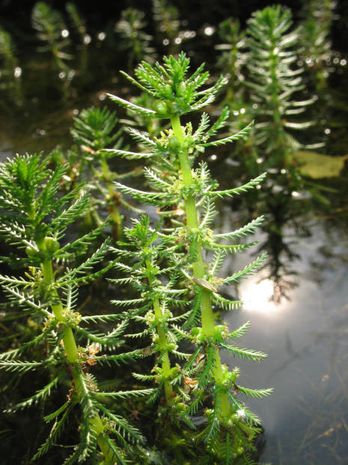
pixel 185 194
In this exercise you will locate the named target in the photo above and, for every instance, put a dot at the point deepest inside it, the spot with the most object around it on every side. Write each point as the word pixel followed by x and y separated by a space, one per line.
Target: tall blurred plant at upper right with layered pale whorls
pixel 275 80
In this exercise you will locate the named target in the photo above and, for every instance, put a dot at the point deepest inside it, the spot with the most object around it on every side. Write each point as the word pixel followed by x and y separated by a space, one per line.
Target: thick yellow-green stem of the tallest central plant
pixel 192 218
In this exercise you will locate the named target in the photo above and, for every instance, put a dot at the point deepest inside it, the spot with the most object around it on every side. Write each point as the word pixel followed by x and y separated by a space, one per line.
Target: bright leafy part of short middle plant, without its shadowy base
pixel 140 257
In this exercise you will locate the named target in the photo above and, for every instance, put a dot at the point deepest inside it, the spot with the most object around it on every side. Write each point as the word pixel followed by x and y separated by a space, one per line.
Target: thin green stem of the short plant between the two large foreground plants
pixel 163 341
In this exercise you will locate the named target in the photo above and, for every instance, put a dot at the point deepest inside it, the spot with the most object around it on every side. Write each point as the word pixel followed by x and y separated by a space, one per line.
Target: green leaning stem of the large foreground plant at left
pixel 72 355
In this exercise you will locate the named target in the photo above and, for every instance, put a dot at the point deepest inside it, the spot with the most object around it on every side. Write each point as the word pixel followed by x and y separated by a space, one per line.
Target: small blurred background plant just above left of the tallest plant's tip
pixel 135 40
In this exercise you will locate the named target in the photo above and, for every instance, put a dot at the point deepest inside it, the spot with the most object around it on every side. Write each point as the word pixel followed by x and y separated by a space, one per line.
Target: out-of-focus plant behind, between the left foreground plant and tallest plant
pixel 95 133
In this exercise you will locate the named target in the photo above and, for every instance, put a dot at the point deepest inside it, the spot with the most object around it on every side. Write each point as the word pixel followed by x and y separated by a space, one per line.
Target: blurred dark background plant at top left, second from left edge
pixel 50 25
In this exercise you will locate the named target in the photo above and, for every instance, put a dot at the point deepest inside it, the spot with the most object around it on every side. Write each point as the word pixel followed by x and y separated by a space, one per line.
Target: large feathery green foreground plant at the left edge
pixel 34 223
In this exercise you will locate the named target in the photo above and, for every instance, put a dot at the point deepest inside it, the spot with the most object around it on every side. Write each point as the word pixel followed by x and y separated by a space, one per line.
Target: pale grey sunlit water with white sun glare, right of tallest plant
pixel 306 418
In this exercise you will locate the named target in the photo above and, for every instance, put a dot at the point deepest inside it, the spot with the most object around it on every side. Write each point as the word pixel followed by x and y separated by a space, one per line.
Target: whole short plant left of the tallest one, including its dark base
pixel 148 261
